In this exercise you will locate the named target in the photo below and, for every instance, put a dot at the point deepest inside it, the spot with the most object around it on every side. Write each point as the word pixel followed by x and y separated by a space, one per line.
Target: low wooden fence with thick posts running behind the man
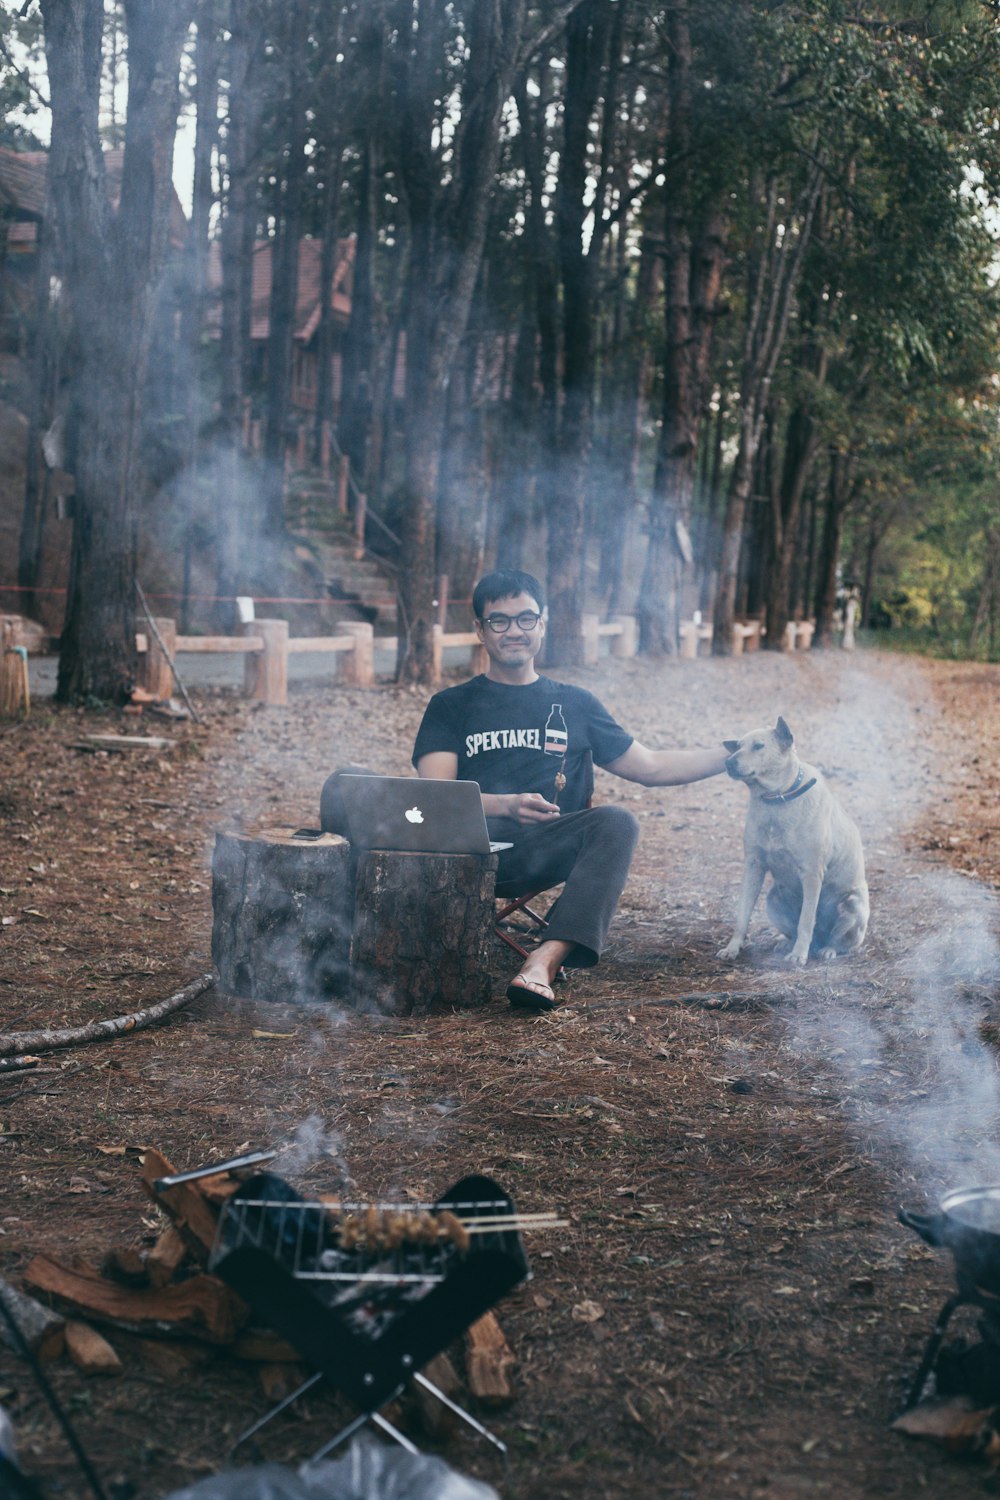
pixel 268 644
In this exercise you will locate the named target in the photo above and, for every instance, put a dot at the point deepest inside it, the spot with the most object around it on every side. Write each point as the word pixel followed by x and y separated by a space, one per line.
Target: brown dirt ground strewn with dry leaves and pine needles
pixel 734 1309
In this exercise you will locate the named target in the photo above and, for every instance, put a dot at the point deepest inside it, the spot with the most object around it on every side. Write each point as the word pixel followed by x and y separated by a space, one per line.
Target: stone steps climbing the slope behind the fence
pixel 359 589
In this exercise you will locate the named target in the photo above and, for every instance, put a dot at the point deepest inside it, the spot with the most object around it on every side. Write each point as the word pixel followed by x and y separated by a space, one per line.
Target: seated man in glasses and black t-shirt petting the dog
pixel 531 745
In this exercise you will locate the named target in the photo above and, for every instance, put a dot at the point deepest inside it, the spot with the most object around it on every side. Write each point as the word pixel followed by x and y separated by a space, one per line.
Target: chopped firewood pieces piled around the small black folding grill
pixel 173 1309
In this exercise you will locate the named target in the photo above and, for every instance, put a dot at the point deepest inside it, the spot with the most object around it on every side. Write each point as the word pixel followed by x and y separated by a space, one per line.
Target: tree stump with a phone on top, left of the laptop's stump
pixel 281 916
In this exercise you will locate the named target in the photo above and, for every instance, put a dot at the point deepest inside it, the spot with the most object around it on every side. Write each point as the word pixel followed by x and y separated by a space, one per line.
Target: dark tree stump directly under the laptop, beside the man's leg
pixel 424 931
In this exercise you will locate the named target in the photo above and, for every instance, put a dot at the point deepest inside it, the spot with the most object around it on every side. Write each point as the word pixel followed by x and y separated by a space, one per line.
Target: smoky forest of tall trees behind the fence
pixel 678 305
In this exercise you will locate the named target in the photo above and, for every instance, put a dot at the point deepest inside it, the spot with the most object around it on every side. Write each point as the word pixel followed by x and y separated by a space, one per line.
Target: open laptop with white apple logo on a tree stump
pixel 416 815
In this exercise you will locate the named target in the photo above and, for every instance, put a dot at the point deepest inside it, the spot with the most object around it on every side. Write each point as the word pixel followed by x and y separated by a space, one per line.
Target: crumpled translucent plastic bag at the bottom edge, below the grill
pixel 368 1471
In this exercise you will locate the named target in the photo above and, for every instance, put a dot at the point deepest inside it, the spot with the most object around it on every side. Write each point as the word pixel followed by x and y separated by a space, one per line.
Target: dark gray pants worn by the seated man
pixel 591 851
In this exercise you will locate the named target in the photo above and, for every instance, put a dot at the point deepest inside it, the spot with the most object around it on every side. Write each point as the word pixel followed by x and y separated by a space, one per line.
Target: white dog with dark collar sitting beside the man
pixel 800 835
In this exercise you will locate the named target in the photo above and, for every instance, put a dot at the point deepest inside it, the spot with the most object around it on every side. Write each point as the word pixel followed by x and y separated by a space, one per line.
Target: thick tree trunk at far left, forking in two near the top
pixel 110 263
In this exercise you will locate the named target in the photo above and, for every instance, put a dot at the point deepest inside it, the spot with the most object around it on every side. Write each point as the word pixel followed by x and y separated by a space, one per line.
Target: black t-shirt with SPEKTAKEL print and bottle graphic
pixel 513 739
